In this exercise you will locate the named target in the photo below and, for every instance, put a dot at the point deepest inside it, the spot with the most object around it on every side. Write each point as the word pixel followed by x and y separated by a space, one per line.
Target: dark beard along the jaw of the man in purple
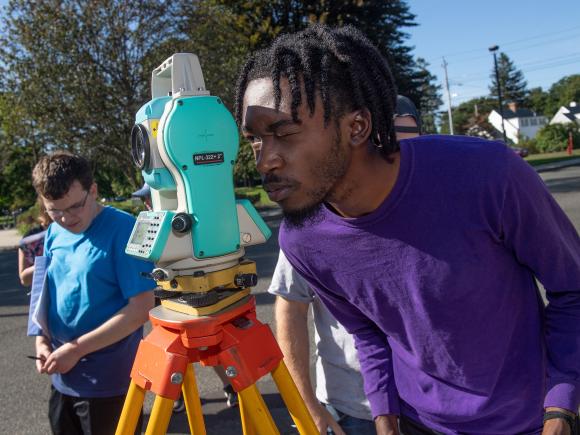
pixel 332 170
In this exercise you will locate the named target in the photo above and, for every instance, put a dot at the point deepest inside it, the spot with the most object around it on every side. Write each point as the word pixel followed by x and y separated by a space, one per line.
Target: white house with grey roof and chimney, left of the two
pixel 519 123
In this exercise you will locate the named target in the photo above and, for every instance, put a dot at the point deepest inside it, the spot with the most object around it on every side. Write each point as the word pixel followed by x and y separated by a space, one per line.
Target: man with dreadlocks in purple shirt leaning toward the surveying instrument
pixel 425 249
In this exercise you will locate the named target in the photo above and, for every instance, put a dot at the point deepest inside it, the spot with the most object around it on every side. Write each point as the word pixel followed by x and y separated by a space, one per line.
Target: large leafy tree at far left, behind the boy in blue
pixel 78 70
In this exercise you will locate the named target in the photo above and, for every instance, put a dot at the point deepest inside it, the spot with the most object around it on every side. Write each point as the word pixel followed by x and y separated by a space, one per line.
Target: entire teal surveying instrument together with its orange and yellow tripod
pixel 185 142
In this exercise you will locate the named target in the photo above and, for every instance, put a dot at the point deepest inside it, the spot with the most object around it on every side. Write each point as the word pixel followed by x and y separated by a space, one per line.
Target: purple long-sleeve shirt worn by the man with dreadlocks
pixel 437 286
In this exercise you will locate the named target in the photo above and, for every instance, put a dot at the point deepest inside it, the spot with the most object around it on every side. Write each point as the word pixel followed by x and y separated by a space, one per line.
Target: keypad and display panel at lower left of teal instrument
pixel 150 234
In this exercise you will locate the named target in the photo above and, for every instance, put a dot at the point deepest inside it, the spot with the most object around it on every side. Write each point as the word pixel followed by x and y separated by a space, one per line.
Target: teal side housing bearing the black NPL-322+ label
pixel 201 139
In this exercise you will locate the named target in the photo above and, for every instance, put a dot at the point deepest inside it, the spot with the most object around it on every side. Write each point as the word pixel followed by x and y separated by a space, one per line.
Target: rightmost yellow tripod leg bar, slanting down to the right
pixel 293 400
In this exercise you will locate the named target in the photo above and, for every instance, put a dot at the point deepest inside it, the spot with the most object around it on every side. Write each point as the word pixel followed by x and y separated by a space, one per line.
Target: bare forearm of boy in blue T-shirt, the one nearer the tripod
pixel 123 323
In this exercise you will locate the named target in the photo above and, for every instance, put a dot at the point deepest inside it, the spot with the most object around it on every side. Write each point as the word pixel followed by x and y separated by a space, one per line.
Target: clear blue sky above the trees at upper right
pixel 541 37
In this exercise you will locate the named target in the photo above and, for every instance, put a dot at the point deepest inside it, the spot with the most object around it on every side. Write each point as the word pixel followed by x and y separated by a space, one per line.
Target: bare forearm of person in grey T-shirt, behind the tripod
pixel 292 335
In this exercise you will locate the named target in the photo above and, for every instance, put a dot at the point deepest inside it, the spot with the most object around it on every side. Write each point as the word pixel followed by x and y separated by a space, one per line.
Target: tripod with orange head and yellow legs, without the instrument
pixel 232 338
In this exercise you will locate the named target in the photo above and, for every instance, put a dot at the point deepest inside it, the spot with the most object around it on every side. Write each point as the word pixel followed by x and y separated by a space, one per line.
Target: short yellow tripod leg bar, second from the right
pixel 254 412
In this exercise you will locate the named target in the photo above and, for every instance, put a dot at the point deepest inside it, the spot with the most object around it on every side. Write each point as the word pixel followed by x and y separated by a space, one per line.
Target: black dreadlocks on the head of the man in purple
pixel 341 64
